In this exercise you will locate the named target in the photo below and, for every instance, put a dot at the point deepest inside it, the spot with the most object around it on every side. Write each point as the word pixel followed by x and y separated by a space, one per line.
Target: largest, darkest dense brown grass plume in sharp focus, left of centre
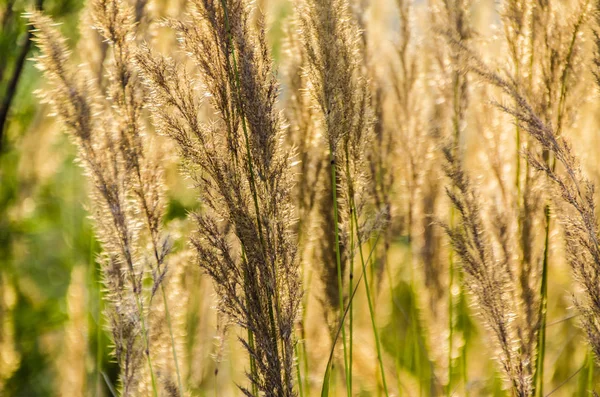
pixel 245 236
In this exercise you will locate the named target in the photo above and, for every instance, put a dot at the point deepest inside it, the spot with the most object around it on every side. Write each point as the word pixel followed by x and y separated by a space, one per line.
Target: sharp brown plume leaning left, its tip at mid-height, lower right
pixel 490 278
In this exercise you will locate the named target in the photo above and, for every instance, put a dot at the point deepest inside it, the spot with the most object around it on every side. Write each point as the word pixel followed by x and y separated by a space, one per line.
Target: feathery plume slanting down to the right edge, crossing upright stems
pixel 575 198
